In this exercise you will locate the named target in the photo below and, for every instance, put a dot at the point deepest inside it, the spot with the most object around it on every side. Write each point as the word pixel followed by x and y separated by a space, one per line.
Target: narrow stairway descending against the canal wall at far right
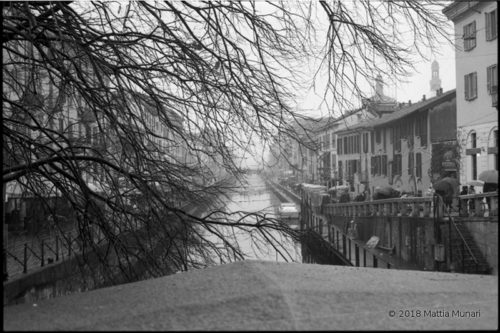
pixel 466 255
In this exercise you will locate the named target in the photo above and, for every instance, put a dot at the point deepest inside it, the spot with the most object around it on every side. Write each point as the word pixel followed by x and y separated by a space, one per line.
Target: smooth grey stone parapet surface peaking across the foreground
pixel 256 295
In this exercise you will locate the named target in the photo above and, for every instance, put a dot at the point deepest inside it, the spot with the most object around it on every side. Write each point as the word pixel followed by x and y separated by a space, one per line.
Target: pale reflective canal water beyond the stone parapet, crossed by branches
pixel 254 197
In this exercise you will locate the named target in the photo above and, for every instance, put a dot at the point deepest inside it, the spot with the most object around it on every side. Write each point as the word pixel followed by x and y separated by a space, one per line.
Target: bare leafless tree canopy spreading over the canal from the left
pixel 127 109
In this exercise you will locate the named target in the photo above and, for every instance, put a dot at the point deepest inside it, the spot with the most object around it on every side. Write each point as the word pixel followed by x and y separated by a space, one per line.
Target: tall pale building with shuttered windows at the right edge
pixel 476 59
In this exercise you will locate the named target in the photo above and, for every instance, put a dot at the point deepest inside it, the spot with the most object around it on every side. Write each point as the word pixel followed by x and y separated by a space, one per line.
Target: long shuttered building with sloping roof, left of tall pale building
pixel 396 149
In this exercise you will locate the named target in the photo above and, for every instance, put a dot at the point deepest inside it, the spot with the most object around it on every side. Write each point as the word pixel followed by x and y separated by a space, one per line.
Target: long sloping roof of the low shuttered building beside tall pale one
pixel 404 112
